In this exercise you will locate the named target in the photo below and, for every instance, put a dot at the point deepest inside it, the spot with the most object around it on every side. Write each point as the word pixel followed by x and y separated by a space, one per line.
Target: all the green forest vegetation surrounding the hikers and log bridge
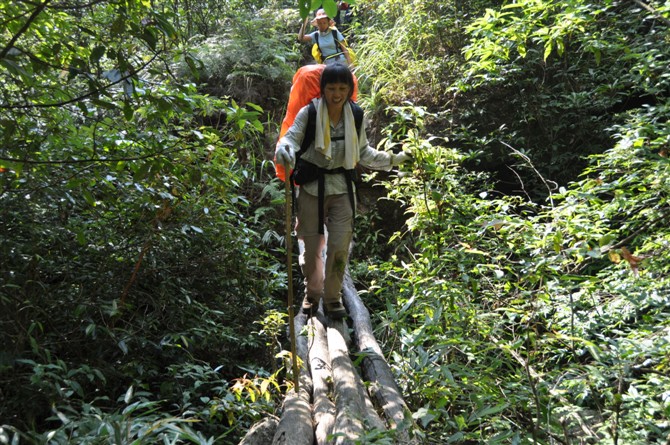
pixel 522 297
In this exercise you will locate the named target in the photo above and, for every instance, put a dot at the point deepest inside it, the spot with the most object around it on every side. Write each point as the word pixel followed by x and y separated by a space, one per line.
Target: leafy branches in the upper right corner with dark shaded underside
pixel 565 71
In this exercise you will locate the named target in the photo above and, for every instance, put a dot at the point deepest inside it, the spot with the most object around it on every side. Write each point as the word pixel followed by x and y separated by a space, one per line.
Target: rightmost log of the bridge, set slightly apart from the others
pixel 383 388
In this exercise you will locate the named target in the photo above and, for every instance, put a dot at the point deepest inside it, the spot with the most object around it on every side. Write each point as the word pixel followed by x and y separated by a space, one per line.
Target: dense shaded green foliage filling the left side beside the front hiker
pixel 130 249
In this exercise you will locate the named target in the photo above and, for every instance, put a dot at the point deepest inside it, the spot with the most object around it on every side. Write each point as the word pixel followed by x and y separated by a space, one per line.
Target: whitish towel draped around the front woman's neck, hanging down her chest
pixel 322 134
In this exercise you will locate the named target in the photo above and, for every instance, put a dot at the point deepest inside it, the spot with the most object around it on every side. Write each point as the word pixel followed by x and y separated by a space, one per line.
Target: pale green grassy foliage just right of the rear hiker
pixel 409 52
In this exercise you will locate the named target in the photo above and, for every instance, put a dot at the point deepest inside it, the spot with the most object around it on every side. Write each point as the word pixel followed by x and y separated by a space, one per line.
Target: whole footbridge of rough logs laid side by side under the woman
pixel 334 405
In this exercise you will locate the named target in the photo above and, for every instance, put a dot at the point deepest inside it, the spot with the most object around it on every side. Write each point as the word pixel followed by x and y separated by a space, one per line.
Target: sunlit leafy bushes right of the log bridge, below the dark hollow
pixel 511 321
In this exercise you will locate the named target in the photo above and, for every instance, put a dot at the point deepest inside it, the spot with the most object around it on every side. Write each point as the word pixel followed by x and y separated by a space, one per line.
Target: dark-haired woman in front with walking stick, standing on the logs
pixel 333 146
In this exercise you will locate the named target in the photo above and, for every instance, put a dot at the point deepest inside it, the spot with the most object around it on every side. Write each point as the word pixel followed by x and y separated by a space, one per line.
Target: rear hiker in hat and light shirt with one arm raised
pixel 331 51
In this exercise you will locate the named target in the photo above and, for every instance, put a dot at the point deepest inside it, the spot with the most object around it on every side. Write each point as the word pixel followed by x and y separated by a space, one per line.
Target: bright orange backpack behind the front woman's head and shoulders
pixel 306 86
